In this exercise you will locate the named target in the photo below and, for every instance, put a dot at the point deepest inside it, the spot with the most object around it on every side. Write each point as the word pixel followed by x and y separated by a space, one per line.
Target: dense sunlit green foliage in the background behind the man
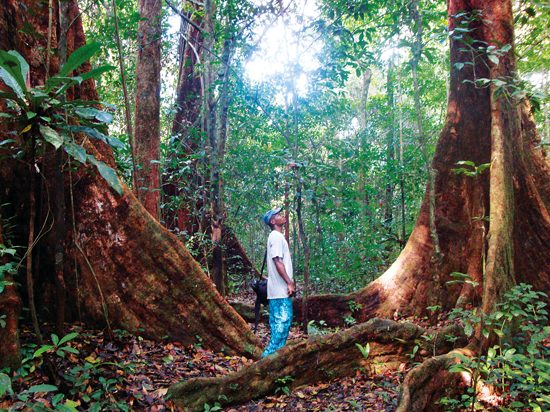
pixel 327 87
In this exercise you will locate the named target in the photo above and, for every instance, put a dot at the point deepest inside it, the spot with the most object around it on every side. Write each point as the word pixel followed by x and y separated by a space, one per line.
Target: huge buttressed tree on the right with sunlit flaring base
pixel 500 215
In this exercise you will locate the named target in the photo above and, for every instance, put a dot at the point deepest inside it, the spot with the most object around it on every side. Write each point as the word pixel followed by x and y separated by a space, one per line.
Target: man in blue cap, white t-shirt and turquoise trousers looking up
pixel 280 286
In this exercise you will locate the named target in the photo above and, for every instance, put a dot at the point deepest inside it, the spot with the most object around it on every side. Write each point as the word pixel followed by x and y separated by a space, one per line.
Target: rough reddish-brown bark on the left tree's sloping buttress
pixel 132 273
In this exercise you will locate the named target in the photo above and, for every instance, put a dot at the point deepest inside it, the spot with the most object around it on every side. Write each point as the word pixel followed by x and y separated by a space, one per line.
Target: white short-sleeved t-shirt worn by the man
pixel 277 246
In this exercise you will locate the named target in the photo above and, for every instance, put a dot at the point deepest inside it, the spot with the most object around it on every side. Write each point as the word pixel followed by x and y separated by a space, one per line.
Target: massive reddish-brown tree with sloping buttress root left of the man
pixel 122 268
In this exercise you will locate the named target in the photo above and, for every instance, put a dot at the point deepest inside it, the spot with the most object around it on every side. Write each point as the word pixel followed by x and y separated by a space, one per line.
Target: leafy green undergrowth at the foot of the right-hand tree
pixel 514 374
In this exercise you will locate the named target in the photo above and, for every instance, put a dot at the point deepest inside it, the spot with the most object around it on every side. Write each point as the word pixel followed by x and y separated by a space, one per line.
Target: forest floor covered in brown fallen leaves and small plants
pixel 125 372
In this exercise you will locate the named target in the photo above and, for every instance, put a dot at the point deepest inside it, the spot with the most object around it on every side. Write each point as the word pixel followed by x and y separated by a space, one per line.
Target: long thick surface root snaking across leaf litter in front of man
pixel 319 358
